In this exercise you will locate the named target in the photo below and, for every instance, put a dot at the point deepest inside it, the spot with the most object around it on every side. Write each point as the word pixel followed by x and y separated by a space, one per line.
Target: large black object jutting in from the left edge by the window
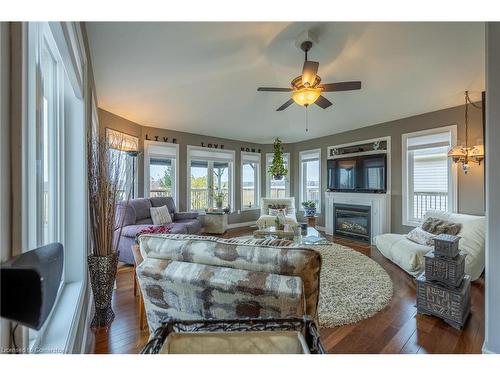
pixel 29 285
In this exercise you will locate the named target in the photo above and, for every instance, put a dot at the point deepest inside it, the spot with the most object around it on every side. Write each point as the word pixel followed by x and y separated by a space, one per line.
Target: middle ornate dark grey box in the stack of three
pixel 449 271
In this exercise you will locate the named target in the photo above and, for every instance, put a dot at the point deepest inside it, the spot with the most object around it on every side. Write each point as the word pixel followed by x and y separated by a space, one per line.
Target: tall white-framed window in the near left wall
pixel 54 204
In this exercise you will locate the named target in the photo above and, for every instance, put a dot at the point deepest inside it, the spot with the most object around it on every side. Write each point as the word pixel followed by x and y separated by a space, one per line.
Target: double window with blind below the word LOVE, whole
pixel 210 174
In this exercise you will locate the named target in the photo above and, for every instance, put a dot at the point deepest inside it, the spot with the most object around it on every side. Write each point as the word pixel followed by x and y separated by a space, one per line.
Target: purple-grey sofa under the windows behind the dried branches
pixel 135 216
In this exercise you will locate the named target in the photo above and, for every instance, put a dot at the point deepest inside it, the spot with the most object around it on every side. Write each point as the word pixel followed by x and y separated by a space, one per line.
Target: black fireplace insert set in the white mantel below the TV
pixel 352 221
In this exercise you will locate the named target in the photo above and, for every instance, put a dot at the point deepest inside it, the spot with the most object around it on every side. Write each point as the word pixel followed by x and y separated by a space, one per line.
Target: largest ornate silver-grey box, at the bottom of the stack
pixel 451 305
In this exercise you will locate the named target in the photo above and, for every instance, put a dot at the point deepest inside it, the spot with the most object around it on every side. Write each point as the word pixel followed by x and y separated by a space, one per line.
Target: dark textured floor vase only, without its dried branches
pixel 102 271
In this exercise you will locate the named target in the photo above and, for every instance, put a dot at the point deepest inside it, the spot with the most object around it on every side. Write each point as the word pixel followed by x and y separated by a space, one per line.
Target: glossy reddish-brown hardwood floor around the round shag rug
pixel 396 329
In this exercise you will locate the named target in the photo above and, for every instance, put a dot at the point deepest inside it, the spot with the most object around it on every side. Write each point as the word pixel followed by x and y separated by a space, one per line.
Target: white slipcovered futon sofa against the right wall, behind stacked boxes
pixel 410 256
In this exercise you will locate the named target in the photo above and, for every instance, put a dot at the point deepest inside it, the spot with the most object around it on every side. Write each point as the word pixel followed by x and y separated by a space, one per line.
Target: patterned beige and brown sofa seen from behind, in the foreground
pixel 196 277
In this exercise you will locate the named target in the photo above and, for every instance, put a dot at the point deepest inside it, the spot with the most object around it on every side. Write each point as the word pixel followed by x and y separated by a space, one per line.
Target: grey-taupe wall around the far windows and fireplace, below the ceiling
pixel 470 186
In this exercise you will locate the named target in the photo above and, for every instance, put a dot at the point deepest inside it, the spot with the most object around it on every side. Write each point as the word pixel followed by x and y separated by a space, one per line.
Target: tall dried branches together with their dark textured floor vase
pixel 104 191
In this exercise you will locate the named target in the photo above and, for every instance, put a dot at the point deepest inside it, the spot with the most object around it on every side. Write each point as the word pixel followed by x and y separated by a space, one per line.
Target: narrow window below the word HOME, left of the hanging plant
pixel 250 180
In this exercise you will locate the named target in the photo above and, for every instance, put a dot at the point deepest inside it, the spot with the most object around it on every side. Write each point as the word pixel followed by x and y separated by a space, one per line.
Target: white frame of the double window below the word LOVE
pixel 231 161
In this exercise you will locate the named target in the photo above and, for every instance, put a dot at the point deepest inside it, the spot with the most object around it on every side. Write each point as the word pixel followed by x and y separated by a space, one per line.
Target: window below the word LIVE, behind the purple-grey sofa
pixel 161 169
